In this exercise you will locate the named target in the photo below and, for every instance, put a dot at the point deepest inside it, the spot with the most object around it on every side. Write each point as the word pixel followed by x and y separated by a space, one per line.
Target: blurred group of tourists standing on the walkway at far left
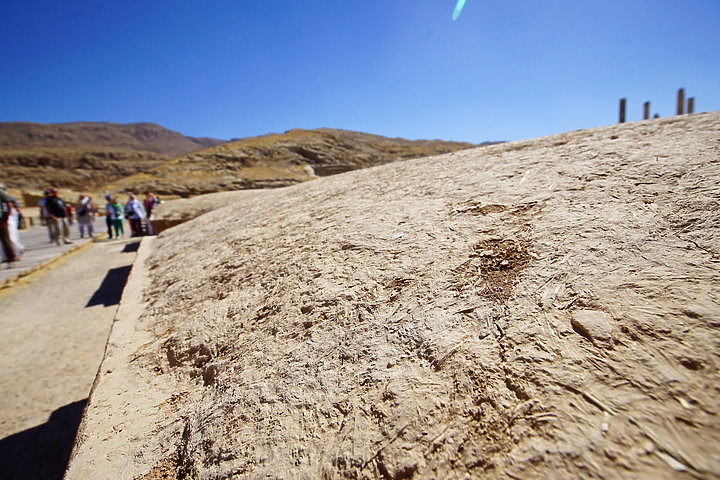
pixel 58 215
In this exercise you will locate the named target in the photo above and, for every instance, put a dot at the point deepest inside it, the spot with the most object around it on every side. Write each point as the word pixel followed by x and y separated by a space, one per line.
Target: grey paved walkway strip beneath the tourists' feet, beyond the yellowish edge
pixel 39 252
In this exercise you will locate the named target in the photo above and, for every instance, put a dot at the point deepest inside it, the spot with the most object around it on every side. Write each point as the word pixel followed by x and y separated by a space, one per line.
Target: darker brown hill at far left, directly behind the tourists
pixel 83 156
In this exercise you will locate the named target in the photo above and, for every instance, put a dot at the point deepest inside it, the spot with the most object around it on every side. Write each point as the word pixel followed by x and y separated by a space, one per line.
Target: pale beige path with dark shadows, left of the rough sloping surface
pixel 54 324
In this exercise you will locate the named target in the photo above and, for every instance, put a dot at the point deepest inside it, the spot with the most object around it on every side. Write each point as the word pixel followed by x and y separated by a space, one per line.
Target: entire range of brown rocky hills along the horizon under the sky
pixel 120 158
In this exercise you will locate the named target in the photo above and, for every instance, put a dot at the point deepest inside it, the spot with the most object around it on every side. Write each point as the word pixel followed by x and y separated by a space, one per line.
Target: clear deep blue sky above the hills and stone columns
pixel 505 70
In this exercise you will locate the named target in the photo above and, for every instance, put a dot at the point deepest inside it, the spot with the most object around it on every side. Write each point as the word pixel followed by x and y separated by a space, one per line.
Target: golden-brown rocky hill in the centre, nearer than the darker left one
pixel 278 160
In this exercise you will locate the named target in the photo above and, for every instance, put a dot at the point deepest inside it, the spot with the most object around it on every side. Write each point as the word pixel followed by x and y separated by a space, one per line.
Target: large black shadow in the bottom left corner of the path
pixel 42 452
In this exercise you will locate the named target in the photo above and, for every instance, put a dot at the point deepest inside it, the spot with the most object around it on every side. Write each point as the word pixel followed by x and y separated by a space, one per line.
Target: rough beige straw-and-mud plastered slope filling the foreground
pixel 540 309
